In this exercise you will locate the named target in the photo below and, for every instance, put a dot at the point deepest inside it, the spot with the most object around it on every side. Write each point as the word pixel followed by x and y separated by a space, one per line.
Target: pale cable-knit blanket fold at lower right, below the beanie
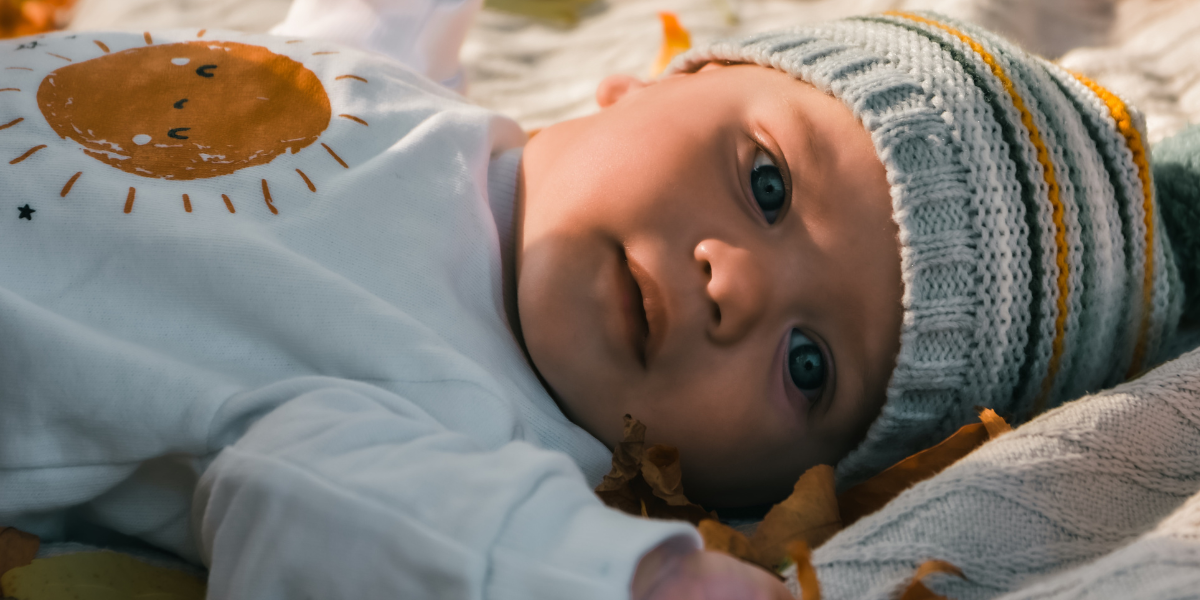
pixel 1097 499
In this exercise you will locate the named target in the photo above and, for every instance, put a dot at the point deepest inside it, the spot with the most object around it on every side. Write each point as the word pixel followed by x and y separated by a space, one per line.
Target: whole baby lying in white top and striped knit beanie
pixel 299 314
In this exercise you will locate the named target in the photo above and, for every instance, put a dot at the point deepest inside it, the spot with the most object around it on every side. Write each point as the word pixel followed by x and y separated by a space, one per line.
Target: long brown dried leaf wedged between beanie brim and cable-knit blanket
pixel 872 495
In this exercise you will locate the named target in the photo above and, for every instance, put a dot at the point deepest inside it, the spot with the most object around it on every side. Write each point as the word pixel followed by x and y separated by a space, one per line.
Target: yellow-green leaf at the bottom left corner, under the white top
pixel 104 574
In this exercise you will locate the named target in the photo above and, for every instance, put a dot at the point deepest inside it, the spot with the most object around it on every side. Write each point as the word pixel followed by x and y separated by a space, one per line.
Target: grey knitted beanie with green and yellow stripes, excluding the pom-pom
pixel 1035 261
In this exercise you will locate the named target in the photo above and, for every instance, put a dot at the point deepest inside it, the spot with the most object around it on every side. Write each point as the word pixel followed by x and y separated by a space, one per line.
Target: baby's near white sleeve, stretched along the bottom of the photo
pixel 358 494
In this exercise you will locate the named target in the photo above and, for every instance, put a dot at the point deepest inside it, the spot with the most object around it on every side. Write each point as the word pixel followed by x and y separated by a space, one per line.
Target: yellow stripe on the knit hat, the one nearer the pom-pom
pixel 1133 140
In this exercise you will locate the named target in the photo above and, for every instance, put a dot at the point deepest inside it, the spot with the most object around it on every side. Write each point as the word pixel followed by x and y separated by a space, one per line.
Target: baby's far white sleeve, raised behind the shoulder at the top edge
pixel 425 35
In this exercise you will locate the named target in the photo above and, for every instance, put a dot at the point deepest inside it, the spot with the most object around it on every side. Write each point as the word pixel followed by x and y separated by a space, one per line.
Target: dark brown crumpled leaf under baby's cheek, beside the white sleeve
pixel 647 482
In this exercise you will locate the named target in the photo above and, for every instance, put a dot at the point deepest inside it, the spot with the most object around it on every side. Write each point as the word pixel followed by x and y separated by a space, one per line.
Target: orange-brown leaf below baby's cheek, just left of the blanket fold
pixel 809 514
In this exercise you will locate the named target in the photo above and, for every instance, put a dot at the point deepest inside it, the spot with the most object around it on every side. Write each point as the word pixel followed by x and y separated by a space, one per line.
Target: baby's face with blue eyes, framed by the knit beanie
pixel 713 254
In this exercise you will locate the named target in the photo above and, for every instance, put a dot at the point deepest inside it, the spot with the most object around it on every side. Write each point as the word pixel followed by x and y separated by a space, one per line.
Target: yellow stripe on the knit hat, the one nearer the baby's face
pixel 1060 325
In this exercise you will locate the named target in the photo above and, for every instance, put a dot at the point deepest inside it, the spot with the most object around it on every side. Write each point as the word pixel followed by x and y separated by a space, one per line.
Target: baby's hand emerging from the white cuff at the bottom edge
pixel 704 577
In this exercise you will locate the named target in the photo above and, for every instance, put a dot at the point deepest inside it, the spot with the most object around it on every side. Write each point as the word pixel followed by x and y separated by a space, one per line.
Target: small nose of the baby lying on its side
pixel 736 290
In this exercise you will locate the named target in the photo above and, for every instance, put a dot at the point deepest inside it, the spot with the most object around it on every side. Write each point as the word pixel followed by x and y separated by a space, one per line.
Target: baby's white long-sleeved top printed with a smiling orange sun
pixel 251 313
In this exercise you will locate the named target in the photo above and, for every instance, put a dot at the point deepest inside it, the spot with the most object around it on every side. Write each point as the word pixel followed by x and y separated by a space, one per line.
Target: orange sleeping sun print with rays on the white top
pixel 187 111
